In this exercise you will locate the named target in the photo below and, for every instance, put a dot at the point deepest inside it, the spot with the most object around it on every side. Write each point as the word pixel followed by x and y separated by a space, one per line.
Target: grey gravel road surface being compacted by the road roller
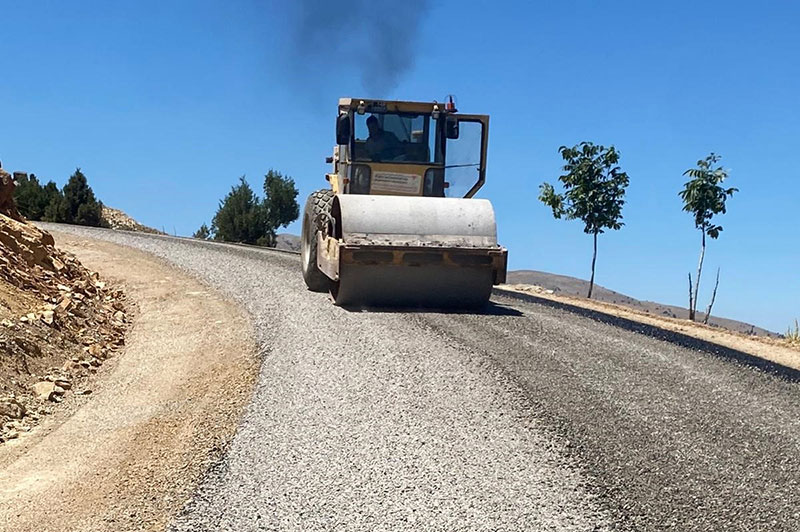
pixel 525 417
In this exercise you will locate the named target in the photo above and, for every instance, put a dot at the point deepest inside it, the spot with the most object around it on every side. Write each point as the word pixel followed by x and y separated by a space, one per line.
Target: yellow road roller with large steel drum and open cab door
pixel 399 225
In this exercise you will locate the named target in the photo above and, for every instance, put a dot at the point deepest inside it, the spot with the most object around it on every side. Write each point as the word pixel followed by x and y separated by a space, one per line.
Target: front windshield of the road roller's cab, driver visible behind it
pixel 398 138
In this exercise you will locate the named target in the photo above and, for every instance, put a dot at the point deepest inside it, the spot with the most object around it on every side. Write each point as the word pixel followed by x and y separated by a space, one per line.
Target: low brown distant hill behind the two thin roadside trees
pixel 571 286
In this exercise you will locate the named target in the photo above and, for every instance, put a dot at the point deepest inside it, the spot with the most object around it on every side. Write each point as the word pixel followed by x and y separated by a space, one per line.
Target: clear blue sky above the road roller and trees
pixel 164 104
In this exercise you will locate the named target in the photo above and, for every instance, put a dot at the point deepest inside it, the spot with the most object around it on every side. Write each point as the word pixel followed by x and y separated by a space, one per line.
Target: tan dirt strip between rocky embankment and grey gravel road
pixel 131 453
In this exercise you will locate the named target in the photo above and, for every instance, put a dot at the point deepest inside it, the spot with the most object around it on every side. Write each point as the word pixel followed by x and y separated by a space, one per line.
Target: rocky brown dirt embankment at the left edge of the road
pixel 58 323
